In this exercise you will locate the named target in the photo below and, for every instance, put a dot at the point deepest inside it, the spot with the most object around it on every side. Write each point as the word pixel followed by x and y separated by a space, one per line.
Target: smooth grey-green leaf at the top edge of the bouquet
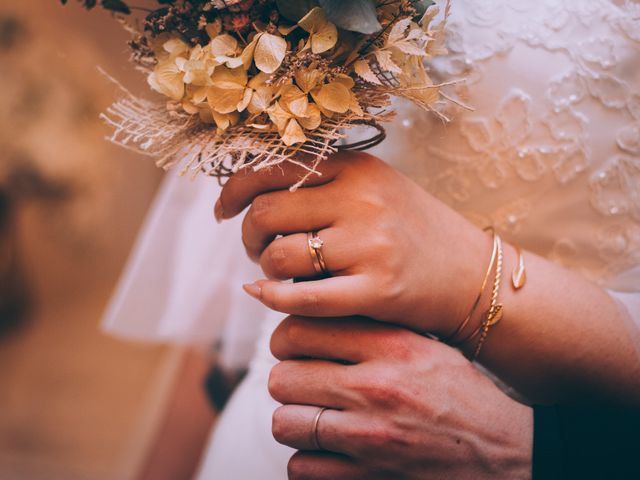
pixel 353 15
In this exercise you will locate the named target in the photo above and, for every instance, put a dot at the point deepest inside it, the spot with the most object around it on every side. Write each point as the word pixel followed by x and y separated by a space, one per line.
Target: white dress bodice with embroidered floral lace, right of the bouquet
pixel 567 126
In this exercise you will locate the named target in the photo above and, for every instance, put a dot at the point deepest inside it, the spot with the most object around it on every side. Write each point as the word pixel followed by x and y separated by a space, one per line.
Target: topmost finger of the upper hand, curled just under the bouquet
pixel 244 186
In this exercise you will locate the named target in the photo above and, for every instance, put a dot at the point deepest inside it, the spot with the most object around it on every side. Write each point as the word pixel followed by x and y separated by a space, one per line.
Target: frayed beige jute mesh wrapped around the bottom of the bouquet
pixel 178 139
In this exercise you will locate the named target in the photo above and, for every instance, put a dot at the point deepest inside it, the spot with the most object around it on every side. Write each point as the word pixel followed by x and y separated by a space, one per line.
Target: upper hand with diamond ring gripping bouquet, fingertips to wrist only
pixel 395 253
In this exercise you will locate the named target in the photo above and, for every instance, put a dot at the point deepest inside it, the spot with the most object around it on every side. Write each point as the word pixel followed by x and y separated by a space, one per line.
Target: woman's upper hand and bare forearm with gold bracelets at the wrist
pixel 399 255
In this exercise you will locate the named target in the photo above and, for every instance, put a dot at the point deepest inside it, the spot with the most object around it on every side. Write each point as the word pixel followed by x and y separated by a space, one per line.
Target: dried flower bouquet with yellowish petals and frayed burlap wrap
pixel 255 83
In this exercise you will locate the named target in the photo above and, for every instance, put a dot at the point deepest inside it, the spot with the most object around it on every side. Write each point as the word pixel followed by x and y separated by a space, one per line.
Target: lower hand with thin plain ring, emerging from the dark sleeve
pixel 399 406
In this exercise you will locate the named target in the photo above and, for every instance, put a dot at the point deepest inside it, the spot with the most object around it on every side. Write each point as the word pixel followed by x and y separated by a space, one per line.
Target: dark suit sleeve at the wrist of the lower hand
pixel 586 443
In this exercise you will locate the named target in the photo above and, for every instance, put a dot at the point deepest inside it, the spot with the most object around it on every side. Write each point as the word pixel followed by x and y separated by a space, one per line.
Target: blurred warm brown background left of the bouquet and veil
pixel 74 403
